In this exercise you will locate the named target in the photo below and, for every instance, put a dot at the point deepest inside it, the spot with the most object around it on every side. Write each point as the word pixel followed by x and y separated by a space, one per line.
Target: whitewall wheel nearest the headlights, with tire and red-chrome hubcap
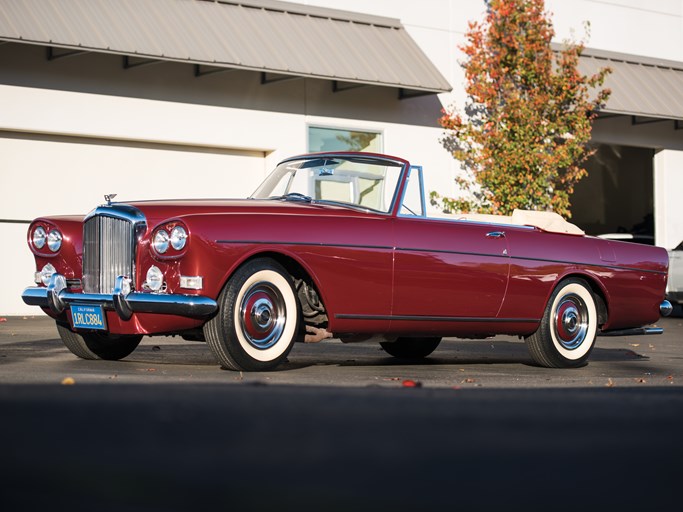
pixel 258 318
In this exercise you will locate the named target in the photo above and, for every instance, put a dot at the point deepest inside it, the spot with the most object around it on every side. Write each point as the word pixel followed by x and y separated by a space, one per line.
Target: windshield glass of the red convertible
pixel 363 182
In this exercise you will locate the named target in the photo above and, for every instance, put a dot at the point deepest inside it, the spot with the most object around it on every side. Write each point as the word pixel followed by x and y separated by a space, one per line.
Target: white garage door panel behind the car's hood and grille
pixel 41 175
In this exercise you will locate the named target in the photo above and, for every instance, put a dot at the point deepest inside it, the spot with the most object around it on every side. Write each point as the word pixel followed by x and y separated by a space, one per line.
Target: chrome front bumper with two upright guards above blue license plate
pixel 56 297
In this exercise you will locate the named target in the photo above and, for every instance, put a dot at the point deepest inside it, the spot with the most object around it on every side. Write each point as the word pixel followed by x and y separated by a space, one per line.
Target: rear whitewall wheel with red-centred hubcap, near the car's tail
pixel 568 329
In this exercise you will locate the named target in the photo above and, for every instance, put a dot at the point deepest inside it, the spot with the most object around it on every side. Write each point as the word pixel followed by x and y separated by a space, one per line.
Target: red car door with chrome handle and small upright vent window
pixel 446 269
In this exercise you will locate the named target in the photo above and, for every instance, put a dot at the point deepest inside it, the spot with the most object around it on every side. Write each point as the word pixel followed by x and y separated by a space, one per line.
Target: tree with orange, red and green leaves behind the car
pixel 523 137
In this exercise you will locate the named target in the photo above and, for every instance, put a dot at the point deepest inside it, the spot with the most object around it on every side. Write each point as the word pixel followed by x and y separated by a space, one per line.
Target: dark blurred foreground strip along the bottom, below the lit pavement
pixel 261 447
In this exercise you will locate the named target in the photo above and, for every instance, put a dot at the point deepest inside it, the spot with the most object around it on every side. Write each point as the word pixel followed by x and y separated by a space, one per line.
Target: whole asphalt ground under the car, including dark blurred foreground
pixel 340 427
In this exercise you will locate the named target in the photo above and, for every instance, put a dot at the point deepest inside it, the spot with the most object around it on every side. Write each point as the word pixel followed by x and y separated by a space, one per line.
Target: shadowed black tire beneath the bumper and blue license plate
pixel 111 347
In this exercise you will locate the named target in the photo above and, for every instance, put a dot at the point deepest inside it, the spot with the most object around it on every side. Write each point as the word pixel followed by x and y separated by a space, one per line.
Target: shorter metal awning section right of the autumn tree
pixel 640 86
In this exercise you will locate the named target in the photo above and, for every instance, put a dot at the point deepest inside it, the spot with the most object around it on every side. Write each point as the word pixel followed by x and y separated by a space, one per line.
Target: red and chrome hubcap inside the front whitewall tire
pixel 262 315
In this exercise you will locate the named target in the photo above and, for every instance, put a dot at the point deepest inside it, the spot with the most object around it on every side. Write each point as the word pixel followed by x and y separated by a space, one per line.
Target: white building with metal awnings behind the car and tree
pixel 133 106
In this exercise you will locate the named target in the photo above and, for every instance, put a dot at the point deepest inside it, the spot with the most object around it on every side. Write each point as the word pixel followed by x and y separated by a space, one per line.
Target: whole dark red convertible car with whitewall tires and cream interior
pixel 336 245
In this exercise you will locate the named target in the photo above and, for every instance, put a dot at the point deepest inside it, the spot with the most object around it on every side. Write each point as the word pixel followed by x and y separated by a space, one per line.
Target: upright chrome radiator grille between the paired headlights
pixel 108 252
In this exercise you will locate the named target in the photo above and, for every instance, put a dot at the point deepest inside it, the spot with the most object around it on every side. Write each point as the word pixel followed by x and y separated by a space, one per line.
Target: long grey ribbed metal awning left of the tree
pixel 259 35
